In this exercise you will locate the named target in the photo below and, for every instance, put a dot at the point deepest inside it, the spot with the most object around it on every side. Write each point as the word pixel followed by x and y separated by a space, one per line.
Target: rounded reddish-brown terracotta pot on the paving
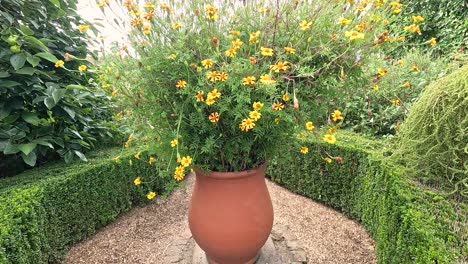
pixel 231 215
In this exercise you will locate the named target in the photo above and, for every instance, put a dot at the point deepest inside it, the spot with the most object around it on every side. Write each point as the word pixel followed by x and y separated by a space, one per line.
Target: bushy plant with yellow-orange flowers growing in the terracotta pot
pixel 227 86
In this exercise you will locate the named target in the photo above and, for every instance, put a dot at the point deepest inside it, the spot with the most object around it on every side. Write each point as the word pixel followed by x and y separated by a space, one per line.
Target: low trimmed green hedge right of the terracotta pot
pixel 408 223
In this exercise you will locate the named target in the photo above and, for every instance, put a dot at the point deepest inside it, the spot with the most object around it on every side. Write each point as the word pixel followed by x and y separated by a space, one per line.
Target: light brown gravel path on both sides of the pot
pixel 143 234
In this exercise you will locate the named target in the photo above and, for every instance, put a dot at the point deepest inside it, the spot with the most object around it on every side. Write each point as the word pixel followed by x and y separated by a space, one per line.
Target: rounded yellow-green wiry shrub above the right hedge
pixel 433 141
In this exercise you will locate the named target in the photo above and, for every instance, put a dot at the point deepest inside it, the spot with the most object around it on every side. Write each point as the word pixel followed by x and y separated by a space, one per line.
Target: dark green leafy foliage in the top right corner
pixel 446 20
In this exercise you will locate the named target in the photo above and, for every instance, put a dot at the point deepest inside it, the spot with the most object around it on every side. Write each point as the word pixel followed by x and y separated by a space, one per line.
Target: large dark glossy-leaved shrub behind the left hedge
pixel 46 109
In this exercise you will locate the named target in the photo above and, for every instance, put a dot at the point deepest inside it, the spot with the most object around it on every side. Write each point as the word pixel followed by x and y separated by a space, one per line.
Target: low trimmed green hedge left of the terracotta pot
pixel 43 211
